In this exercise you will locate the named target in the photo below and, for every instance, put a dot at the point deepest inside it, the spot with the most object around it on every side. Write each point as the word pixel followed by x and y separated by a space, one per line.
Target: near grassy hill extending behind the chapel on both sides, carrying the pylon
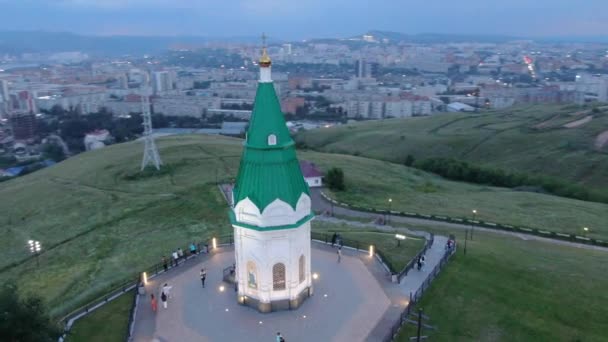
pixel 100 221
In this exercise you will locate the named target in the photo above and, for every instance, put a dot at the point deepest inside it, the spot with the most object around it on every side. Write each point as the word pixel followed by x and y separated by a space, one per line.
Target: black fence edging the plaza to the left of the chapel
pixel 133 282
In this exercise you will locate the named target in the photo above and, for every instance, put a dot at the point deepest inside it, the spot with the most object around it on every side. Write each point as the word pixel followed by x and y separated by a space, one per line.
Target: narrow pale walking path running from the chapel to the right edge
pixel 320 204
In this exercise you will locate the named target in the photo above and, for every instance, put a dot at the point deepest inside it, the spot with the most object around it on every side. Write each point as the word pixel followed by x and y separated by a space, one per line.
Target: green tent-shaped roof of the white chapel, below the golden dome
pixel 268 172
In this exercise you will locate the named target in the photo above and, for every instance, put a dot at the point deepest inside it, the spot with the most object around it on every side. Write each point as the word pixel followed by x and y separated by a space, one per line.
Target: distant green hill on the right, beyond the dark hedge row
pixel 560 141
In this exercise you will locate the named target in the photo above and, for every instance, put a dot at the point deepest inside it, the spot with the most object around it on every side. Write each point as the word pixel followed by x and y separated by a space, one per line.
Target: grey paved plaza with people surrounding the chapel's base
pixel 347 304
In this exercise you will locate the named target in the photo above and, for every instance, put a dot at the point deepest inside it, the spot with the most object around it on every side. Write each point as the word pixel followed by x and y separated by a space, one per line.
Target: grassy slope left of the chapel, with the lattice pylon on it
pixel 98 227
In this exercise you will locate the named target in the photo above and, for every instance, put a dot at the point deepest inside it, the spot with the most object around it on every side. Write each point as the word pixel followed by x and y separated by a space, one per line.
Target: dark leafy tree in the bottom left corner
pixel 24 319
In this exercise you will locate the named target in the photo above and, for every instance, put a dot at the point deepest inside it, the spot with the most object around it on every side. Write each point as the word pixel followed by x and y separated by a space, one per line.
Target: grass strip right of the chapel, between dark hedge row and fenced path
pixel 370 183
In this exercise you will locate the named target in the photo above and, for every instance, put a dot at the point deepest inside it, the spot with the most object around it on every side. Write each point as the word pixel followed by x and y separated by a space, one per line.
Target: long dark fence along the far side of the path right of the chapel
pixel 476 223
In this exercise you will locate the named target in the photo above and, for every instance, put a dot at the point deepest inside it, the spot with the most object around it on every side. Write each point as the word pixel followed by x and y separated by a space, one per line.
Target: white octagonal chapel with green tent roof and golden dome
pixel 271 210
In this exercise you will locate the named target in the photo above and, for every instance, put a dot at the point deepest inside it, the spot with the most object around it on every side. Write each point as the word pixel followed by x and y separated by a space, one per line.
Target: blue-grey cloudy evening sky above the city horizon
pixel 295 19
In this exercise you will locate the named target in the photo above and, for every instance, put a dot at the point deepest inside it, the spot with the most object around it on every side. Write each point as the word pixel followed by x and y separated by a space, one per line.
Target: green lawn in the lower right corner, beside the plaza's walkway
pixel 507 289
